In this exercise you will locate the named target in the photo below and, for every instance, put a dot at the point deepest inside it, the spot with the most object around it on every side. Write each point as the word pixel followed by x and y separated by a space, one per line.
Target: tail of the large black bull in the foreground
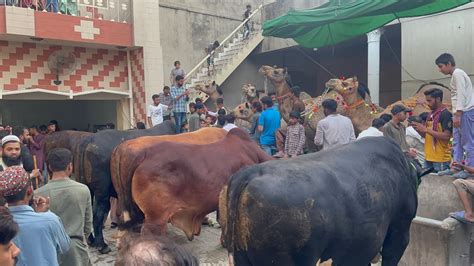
pixel 236 186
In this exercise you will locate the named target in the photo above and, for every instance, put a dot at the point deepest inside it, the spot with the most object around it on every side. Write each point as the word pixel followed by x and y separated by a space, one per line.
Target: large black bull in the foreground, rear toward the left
pixel 347 204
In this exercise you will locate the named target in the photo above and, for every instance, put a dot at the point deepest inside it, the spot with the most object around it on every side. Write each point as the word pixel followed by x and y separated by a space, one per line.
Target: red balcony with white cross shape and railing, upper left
pixel 107 23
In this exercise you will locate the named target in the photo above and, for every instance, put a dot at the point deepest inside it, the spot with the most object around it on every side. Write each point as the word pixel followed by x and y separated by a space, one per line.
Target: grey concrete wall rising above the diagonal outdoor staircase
pixel 188 26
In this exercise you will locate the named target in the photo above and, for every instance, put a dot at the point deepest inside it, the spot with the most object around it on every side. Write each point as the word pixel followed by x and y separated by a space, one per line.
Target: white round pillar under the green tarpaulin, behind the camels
pixel 373 64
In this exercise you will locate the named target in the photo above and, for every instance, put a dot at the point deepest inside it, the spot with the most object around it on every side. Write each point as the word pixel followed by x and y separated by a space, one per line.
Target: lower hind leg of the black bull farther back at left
pixel 100 210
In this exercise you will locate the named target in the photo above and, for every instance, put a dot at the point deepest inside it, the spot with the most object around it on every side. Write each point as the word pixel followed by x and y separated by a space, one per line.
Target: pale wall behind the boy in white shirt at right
pixel 424 39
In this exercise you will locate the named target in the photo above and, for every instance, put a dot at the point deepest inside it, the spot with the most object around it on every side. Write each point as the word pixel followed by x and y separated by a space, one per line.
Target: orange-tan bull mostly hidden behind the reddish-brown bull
pixel 130 154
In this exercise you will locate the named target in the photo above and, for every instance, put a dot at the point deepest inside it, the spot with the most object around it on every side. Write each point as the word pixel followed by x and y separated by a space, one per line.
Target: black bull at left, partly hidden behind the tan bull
pixel 94 168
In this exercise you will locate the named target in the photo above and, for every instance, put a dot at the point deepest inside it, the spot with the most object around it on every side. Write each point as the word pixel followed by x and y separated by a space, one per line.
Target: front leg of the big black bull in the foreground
pixel 395 244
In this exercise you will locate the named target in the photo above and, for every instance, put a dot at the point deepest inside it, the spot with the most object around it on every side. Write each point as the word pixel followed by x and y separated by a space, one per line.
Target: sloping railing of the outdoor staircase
pixel 252 23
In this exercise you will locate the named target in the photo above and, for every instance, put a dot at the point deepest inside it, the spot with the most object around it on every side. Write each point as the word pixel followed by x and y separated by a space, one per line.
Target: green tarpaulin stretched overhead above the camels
pixel 341 20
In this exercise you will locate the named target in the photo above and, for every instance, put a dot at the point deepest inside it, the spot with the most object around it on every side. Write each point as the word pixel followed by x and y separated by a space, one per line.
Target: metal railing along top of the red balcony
pixel 112 10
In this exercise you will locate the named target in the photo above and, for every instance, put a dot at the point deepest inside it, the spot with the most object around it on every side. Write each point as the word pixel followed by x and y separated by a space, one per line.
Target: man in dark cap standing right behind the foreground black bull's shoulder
pixel 397 131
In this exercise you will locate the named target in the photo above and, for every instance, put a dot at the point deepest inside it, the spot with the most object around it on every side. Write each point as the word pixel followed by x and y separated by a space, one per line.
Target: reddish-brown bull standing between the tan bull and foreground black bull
pixel 181 184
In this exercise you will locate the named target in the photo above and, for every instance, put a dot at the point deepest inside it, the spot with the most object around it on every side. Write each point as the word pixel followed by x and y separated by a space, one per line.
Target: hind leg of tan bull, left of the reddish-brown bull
pixel 122 172
